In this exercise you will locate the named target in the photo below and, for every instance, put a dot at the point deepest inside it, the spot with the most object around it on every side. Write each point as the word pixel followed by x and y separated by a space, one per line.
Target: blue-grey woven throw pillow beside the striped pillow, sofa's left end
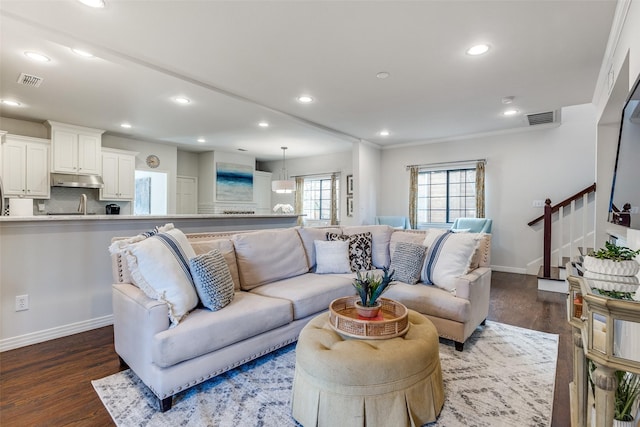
pixel 212 279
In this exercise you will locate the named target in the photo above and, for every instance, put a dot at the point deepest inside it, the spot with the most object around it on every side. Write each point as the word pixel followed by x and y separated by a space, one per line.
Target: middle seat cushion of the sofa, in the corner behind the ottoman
pixel 310 293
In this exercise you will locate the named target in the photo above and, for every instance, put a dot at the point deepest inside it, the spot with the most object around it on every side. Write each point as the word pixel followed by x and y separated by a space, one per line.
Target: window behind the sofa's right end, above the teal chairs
pixel 444 195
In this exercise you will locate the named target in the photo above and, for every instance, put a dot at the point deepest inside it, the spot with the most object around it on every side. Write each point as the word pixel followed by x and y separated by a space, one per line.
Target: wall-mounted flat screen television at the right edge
pixel 625 190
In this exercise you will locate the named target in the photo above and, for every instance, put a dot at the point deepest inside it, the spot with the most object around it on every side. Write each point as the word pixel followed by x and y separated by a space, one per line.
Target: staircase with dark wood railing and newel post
pixel 567 229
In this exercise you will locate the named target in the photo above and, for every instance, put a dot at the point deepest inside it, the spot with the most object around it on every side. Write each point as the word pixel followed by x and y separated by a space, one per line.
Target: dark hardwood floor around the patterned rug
pixel 49 384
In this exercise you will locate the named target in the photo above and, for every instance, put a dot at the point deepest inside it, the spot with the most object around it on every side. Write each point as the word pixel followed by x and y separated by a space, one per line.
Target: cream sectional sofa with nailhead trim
pixel 276 292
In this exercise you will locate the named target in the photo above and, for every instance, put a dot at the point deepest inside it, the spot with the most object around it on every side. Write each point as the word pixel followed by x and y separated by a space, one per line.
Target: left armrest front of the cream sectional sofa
pixel 136 320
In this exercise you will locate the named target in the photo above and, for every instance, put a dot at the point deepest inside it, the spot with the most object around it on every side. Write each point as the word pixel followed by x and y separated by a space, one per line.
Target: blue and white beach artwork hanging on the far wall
pixel 234 182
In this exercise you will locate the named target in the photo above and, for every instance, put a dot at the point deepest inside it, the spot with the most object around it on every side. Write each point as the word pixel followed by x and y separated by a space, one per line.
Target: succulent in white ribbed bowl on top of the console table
pixel 612 260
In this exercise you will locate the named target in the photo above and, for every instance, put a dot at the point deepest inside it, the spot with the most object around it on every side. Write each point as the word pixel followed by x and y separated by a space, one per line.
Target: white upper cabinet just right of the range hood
pixel 118 174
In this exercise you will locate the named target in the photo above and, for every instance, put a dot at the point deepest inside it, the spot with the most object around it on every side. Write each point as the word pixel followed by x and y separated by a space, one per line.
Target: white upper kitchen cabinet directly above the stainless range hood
pixel 75 149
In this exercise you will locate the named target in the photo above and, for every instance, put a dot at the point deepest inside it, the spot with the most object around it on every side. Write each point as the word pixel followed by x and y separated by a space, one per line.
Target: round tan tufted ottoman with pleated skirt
pixel 342 381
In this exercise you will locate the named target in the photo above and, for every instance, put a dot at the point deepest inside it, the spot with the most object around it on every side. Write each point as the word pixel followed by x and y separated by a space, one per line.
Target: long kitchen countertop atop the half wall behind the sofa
pixel 91 217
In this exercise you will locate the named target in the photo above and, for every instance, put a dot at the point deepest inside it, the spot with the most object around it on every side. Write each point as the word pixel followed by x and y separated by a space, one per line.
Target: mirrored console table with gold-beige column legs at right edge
pixel 605 331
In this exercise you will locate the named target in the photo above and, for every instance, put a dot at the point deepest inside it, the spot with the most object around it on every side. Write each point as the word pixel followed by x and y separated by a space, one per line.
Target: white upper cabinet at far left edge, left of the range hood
pixel 25 167
